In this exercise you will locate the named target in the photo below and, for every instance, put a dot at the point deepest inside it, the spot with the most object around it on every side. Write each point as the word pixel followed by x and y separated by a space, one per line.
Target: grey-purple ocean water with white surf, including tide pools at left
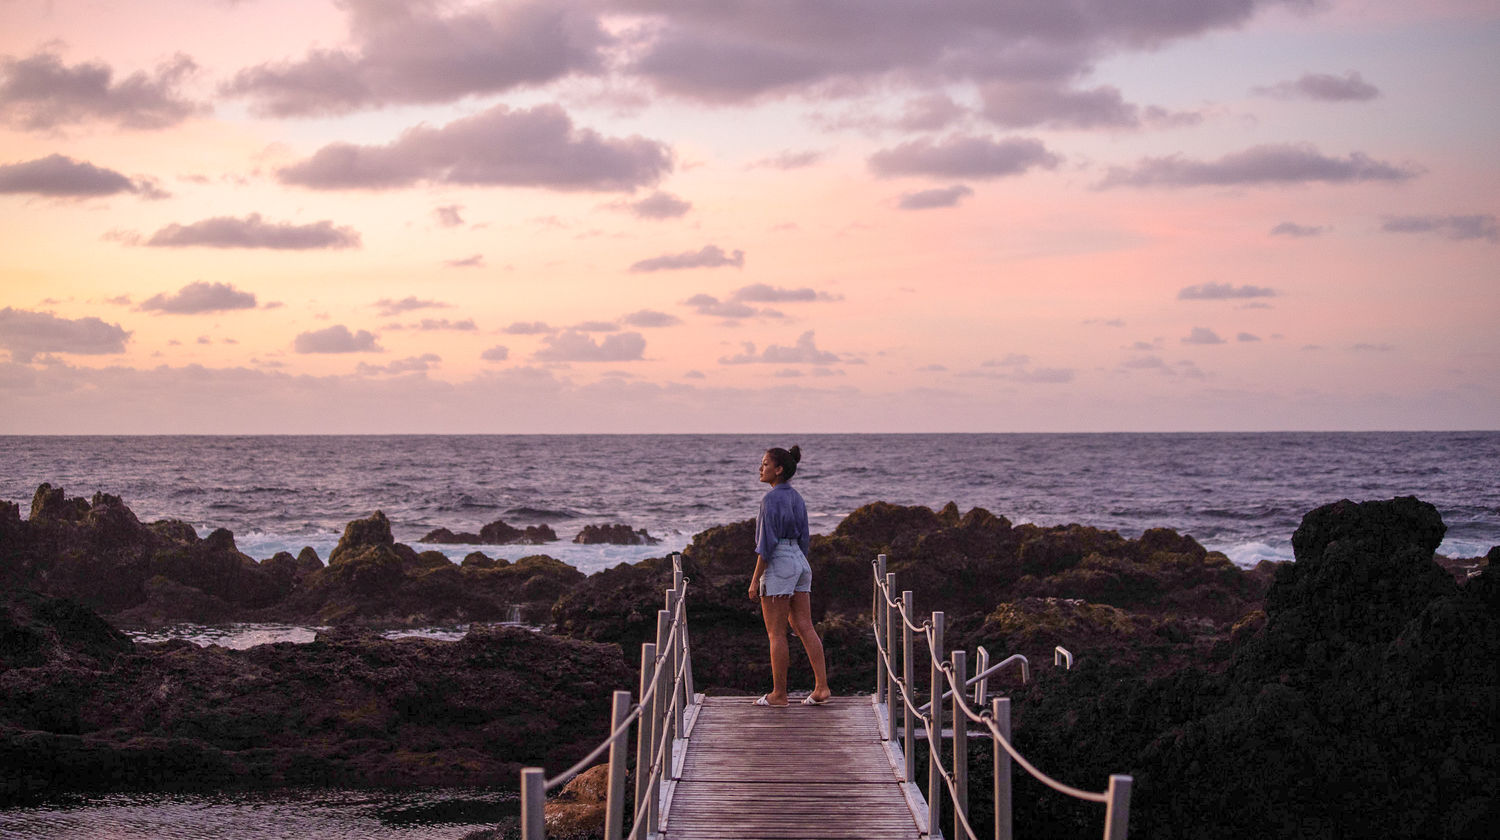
pixel 1243 494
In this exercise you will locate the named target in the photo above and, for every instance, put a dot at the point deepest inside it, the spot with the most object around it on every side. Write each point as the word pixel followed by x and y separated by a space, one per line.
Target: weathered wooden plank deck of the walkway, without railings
pixel 797 773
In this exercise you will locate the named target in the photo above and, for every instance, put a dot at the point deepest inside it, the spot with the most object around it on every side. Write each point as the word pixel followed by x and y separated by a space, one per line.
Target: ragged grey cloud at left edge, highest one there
pixel 41 94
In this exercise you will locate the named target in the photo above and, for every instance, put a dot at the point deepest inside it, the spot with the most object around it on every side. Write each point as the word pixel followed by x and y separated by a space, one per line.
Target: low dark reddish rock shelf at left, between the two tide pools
pixel 83 709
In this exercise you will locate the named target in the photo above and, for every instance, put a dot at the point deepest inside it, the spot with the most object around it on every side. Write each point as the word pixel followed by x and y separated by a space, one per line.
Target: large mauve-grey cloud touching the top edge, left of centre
pixel 410 53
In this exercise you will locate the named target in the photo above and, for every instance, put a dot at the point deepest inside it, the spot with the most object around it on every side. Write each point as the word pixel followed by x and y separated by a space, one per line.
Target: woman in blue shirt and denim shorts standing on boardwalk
pixel 782 578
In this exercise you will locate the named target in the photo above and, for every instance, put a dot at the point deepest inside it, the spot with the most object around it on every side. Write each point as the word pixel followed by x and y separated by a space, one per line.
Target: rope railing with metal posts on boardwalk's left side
pixel 667 691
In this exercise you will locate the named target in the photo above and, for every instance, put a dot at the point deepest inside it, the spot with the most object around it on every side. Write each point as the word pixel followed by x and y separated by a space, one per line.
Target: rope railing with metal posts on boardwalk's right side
pixel 887 616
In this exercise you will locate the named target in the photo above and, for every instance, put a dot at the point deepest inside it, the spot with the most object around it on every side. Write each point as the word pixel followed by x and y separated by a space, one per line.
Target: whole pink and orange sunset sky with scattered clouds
pixel 295 217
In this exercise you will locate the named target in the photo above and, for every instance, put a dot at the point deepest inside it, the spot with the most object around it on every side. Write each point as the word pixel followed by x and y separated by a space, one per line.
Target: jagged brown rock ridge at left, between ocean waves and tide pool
pixel 151 575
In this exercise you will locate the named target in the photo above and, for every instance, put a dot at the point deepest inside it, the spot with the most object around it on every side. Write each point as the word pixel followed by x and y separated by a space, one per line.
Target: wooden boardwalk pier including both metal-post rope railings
pixel 724 769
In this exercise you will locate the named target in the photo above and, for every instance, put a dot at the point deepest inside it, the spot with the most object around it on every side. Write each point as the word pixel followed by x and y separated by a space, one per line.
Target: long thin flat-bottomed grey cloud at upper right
pixel 1286 164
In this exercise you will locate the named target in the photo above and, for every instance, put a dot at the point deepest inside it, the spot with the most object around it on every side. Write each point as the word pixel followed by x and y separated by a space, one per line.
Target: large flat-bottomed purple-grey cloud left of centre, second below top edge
pixel 538 148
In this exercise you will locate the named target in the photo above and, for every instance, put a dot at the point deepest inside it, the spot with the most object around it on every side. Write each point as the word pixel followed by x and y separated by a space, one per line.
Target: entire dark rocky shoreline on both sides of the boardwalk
pixel 1328 686
